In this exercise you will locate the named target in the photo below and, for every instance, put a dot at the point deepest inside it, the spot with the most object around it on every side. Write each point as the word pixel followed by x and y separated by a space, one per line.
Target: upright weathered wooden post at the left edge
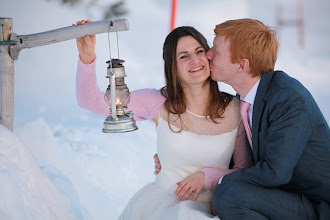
pixel 6 76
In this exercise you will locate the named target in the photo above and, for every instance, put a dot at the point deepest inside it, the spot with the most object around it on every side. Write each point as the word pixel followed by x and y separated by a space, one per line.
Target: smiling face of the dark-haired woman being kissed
pixel 192 64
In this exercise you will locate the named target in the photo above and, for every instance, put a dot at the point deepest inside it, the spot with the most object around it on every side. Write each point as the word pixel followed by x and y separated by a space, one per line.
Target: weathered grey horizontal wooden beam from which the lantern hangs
pixel 66 33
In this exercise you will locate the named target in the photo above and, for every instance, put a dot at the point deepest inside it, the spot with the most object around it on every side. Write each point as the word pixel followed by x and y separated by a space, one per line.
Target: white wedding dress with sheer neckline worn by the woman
pixel 201 143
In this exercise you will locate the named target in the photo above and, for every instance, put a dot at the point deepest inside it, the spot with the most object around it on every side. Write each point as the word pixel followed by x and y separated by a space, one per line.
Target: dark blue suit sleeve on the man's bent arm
pixel 283 141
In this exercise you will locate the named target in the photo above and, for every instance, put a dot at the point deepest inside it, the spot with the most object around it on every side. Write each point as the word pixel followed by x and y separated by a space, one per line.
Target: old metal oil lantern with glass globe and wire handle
pixel 117 96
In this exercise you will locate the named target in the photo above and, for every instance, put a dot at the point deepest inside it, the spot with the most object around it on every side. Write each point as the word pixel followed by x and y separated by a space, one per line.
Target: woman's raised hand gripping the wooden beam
pixel 86 45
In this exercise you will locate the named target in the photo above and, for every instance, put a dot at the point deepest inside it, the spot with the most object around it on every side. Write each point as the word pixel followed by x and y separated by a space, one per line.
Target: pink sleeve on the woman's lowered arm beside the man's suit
pixel 212 174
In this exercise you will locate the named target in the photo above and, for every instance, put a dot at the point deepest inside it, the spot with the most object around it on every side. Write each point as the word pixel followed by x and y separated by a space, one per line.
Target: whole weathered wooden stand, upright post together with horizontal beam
pixel 11 44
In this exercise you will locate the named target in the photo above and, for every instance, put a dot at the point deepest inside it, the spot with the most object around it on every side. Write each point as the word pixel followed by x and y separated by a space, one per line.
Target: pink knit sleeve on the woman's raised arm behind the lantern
pixel 144 103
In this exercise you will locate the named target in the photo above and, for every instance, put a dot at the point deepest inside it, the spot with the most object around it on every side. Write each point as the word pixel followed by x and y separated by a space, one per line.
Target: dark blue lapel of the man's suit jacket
pixel 258 107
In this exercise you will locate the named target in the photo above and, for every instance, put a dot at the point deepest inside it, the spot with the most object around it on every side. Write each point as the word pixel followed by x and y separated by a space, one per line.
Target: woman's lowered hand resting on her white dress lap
pixel 194 183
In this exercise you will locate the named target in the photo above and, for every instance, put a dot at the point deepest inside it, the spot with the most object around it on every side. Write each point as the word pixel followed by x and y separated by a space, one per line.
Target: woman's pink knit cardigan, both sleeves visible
pixel 145 104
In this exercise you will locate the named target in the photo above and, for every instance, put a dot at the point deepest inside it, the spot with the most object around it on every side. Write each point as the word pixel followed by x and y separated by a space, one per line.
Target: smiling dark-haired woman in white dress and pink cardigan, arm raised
pixel 197 128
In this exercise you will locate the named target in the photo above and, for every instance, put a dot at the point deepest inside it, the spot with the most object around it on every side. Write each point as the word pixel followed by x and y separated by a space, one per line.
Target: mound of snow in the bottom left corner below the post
pixel 26 192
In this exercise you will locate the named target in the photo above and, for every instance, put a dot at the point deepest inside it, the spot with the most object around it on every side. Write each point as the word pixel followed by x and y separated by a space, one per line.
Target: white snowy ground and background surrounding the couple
pixel 58 164
